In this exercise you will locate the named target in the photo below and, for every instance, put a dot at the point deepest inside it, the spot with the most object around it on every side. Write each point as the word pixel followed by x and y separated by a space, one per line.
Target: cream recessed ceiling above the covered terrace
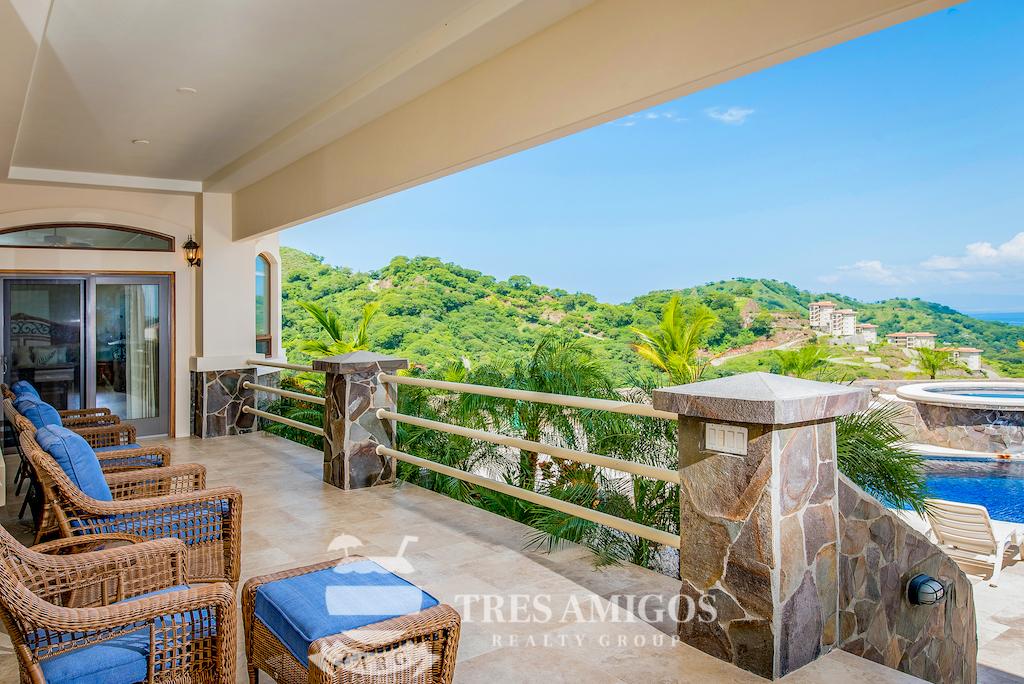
pixel 228 92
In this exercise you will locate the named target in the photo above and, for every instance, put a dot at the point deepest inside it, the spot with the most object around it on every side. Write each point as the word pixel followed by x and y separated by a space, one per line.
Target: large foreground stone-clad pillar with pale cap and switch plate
pixel 759 516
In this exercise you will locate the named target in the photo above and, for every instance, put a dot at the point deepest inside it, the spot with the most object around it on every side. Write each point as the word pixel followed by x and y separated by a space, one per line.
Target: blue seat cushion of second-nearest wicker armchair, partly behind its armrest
pixel 206 519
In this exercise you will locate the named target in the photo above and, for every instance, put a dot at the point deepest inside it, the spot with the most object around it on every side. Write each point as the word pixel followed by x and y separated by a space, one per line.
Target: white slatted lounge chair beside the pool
pixel 967 528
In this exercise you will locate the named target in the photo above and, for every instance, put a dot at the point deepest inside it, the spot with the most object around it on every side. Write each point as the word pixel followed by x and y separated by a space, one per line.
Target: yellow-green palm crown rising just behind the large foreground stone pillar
pixel 673 345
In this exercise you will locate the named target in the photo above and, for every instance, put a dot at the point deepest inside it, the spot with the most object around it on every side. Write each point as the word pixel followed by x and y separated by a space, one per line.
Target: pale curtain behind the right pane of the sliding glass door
pixel 142 352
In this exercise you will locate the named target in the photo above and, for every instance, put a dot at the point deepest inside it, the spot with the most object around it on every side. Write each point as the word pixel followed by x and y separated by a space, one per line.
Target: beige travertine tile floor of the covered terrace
pixel 457 552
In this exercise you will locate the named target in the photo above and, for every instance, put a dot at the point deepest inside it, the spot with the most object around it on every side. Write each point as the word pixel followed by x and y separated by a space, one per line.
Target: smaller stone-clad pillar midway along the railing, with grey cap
pixel 352 430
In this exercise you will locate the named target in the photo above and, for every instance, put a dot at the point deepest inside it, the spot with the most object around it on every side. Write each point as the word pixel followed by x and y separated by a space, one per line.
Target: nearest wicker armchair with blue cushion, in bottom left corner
pixel 145 624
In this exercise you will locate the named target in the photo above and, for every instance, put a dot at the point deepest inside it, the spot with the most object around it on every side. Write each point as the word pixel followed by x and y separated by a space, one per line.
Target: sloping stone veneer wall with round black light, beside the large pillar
pixel 878 557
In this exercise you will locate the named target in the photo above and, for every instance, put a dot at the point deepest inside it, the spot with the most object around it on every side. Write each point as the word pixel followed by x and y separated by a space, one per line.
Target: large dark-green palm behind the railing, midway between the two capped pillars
pixel 557 366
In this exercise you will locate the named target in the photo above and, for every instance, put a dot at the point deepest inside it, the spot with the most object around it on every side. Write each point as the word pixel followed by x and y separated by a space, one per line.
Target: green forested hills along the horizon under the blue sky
pixel 435 313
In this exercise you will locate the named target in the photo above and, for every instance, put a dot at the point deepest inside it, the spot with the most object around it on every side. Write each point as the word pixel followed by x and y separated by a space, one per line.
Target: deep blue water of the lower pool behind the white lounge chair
pixel 999 486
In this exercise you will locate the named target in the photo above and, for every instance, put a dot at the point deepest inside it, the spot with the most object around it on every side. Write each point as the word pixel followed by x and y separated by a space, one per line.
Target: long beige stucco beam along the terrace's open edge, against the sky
pixel 611 59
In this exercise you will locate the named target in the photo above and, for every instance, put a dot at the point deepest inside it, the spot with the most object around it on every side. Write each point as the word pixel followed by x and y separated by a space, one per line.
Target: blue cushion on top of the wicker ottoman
pixel 300 611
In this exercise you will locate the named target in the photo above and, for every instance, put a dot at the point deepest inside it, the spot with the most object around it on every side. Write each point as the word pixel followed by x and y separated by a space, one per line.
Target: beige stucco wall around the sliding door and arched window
pixel 215 306
